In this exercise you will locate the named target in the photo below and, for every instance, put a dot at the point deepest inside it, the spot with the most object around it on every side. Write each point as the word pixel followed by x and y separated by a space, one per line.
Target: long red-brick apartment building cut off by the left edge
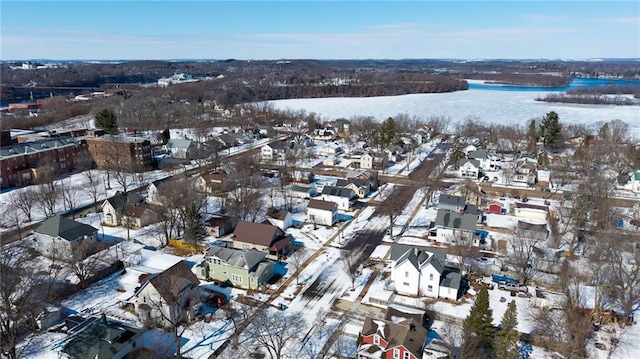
pixel 23 163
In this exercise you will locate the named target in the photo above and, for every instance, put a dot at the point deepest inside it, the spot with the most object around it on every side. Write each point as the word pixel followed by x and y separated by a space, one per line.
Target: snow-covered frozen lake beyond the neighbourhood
pixel 490 106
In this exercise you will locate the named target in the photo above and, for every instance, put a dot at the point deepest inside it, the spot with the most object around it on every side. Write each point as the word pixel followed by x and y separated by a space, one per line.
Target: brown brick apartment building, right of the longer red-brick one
pixel 128 153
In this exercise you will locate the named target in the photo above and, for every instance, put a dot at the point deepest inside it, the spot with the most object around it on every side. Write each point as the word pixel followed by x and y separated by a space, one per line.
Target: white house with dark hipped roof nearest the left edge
pixel 60 236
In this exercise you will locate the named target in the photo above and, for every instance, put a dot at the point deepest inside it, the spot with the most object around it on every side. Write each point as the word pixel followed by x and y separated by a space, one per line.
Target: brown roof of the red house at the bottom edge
pixel 408 333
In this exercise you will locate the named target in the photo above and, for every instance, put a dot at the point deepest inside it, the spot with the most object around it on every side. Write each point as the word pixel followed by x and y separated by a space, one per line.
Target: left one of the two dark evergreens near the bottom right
pixel 479 321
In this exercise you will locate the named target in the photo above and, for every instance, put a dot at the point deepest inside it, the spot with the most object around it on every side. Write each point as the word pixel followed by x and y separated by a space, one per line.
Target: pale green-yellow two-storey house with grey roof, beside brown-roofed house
pixel 248 269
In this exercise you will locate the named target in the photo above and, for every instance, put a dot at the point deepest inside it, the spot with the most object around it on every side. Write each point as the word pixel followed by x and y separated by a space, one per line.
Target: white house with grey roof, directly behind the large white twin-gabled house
pixel 454 228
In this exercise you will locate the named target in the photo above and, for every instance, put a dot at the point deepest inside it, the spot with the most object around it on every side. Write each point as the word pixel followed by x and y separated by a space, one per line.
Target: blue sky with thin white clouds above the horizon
pixel 267 30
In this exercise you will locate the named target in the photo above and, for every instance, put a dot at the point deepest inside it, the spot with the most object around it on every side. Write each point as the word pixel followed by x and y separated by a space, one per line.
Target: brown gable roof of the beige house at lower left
pixel 172 281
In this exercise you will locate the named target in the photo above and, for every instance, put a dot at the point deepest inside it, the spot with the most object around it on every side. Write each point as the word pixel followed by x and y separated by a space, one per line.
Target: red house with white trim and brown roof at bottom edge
pixel 389 340
